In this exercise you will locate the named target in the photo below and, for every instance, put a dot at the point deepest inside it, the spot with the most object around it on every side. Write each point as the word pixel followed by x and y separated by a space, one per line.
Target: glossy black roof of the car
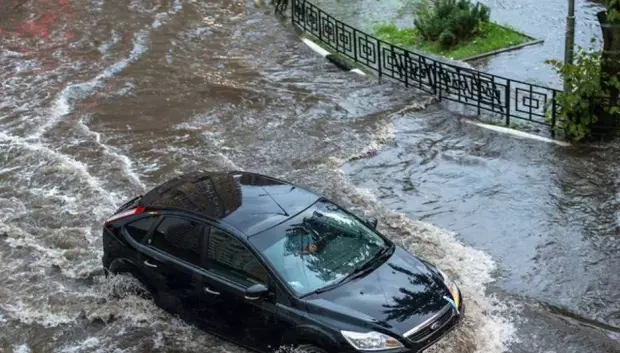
pixel 247 201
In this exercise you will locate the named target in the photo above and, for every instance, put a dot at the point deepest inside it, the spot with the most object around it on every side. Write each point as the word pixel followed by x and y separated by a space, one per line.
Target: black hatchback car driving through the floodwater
pixel 265 264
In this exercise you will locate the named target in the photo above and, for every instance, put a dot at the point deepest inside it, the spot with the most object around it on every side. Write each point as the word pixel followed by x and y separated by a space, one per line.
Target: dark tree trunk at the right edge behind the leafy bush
pixel 606 125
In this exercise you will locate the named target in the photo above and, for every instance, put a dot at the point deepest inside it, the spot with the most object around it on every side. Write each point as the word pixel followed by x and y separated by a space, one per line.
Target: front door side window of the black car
pixel 229 258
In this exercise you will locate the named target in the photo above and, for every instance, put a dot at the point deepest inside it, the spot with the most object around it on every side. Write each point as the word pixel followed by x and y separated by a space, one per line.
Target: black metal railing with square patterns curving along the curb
pixel 503 97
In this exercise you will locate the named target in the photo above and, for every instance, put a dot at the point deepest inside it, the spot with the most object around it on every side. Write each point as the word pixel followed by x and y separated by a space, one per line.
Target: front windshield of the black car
pixel 320 246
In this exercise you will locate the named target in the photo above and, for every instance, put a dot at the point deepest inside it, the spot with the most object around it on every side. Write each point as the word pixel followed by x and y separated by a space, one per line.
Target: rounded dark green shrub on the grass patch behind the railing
pixel 450 22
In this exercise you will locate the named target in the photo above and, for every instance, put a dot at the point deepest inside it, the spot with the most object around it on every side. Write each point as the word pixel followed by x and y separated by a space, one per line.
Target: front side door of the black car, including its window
pixel 230 269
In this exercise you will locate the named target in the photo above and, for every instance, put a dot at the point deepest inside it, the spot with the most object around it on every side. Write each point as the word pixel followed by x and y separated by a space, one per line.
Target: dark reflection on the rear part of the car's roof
pixel 216 195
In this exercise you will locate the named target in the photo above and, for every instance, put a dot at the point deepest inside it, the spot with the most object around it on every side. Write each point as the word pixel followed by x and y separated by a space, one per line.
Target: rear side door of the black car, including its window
pixel 169 259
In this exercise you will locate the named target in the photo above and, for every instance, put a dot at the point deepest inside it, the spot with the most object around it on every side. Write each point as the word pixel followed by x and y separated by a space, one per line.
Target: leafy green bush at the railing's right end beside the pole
pixel 582 94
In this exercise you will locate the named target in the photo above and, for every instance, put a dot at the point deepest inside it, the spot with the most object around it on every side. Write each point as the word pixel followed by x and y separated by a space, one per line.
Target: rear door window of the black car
pixel 179 237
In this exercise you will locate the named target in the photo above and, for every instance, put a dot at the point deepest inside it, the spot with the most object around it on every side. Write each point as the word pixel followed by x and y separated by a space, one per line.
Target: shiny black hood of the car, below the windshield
pixel 398 295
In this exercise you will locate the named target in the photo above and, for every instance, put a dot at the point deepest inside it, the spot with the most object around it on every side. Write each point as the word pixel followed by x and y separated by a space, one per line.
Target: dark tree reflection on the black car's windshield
pixel 340 248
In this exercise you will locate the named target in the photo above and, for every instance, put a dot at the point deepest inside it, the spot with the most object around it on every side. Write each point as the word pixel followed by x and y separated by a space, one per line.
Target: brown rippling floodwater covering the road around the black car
pixel 101 100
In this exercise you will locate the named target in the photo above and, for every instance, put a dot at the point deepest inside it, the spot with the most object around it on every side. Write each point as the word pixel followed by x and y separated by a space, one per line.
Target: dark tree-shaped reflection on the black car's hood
pixel 411 303
